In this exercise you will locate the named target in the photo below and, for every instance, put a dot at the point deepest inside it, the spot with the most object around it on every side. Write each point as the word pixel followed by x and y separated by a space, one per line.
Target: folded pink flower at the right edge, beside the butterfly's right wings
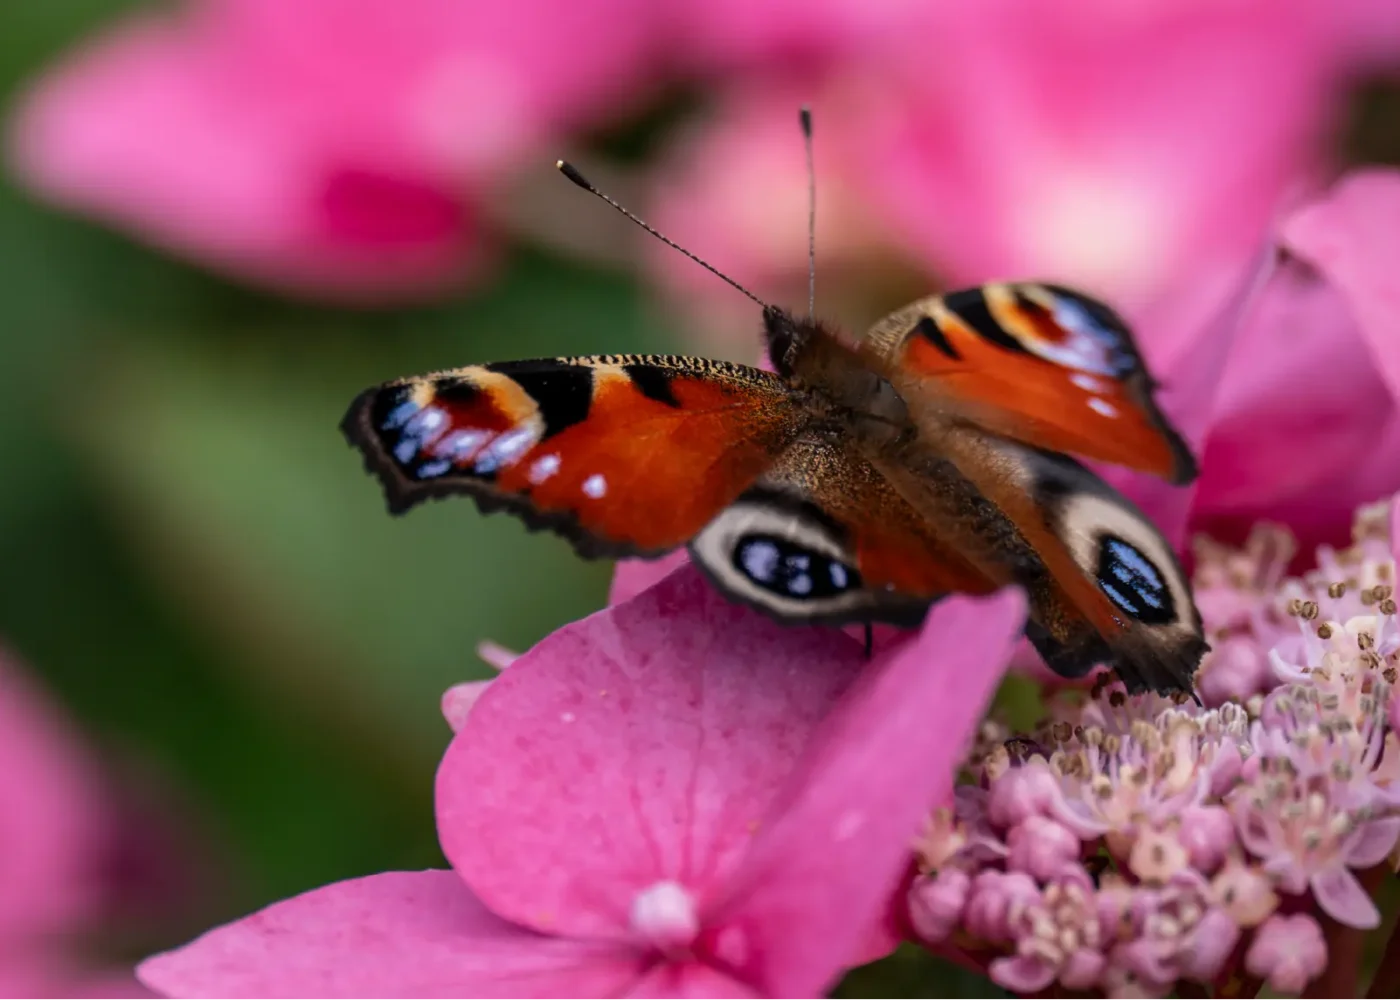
pixel 1307 424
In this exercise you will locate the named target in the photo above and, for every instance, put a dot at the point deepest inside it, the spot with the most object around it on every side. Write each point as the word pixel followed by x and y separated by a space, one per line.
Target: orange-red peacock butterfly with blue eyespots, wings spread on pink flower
pixel 856 482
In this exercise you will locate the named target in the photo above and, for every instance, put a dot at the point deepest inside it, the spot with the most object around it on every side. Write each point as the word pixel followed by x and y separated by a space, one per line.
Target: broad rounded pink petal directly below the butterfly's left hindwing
pixel 643 744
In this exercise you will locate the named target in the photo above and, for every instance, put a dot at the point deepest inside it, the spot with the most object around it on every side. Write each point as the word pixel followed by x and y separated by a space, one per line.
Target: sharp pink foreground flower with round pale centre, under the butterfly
pixel 673 798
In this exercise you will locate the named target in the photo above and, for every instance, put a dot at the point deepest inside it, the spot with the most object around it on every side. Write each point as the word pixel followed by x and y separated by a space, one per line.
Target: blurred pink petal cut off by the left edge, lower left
pixel 51 816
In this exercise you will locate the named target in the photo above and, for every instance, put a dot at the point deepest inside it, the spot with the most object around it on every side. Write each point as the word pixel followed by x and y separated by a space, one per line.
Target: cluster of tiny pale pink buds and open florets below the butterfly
pixel 1129 844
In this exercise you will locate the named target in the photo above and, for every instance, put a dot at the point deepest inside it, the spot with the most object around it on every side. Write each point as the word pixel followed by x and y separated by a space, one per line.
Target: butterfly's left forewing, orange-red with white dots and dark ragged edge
pixel 622 454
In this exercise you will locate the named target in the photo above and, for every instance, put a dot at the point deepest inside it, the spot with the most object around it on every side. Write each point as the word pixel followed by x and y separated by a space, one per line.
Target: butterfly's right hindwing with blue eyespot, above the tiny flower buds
pixel 1104 583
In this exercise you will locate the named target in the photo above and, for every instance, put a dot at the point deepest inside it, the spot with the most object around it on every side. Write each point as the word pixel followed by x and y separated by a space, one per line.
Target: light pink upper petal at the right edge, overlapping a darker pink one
pixel 1353 236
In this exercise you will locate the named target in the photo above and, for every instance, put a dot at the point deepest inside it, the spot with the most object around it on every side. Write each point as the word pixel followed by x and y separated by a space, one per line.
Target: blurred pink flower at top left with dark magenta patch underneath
pixel 341 149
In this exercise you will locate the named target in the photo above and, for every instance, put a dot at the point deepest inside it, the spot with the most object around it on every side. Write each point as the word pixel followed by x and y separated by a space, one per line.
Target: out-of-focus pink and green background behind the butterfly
pixel 220 221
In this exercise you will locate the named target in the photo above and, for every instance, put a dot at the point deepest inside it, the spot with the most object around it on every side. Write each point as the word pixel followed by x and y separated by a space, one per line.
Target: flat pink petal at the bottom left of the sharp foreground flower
pixel 411 936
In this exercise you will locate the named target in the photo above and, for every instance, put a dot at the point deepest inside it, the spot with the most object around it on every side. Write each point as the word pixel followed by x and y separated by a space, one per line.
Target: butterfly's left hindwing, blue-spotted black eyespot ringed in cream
pixel 822 537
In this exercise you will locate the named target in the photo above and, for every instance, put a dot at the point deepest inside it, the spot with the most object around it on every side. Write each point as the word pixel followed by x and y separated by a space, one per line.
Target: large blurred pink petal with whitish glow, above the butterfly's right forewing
pixel 1139 152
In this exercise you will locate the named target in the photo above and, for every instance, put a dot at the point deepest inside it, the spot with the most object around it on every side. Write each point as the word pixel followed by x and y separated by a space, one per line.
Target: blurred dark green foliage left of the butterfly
pixel 197 564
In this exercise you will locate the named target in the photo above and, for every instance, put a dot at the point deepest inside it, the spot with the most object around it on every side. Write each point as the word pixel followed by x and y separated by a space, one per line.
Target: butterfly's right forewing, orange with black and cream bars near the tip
pixel 1038 363
